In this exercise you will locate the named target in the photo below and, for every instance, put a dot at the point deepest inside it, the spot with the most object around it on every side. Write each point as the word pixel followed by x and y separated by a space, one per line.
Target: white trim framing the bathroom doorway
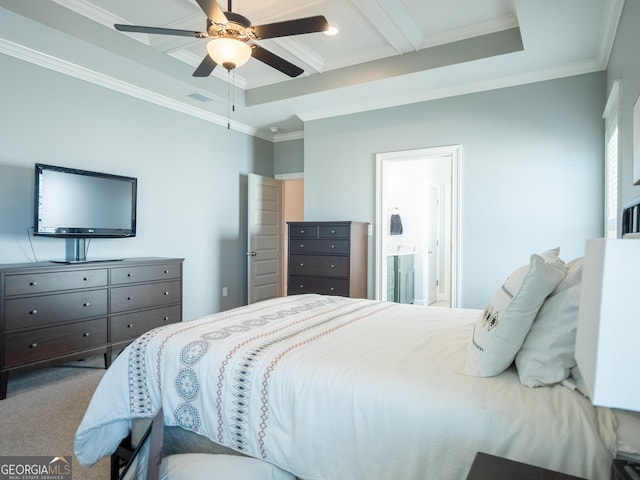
pixel 455 152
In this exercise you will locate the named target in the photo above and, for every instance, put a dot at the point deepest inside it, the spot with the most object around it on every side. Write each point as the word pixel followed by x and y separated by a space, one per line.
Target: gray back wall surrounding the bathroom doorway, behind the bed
pixel 531 172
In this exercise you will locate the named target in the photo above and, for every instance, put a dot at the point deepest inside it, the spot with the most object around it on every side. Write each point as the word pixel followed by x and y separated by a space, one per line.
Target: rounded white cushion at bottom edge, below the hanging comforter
pixel 200 466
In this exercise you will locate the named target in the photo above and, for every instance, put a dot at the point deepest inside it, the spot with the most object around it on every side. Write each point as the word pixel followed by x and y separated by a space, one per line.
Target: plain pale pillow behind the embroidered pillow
pixel 547 355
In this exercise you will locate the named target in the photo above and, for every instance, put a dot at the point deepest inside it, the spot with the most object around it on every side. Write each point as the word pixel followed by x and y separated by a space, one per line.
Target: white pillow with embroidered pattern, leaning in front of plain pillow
pixel 500 332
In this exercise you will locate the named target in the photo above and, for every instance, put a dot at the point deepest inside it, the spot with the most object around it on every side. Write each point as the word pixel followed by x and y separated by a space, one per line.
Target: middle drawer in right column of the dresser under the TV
pixel 135 297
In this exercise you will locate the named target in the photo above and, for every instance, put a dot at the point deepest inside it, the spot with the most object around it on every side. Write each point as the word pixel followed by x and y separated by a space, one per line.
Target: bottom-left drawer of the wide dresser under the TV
pixel 49 342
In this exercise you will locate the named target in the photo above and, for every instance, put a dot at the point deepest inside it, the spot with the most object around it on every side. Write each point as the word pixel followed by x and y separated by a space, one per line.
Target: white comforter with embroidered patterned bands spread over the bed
pixel 338 388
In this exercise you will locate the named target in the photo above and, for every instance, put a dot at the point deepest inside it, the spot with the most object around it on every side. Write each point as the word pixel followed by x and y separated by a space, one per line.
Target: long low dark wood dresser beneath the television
pixel 52 312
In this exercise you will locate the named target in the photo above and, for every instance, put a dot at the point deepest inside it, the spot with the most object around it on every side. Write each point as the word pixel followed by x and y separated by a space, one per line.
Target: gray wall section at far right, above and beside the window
pixel 624 65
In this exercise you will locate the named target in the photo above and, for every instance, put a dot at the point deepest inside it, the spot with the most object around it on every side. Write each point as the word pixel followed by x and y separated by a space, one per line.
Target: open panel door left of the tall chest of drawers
pixel 264 232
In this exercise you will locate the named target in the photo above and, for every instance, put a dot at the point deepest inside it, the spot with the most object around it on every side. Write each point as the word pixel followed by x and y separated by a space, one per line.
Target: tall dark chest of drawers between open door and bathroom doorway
pixel 328 258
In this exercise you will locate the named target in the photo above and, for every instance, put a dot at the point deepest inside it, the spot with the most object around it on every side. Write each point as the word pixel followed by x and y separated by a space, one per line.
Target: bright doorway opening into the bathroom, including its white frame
pixel 417 235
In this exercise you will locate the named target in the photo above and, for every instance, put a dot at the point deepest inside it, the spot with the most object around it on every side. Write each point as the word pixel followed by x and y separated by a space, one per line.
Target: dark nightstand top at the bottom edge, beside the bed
pixel 490 467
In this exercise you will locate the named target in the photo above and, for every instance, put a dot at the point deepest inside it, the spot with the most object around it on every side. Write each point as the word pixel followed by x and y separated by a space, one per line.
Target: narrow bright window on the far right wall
pixel 611 163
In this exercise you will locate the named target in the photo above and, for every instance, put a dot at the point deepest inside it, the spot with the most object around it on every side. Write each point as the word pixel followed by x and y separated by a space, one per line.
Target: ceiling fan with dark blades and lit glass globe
pixel 230 34
